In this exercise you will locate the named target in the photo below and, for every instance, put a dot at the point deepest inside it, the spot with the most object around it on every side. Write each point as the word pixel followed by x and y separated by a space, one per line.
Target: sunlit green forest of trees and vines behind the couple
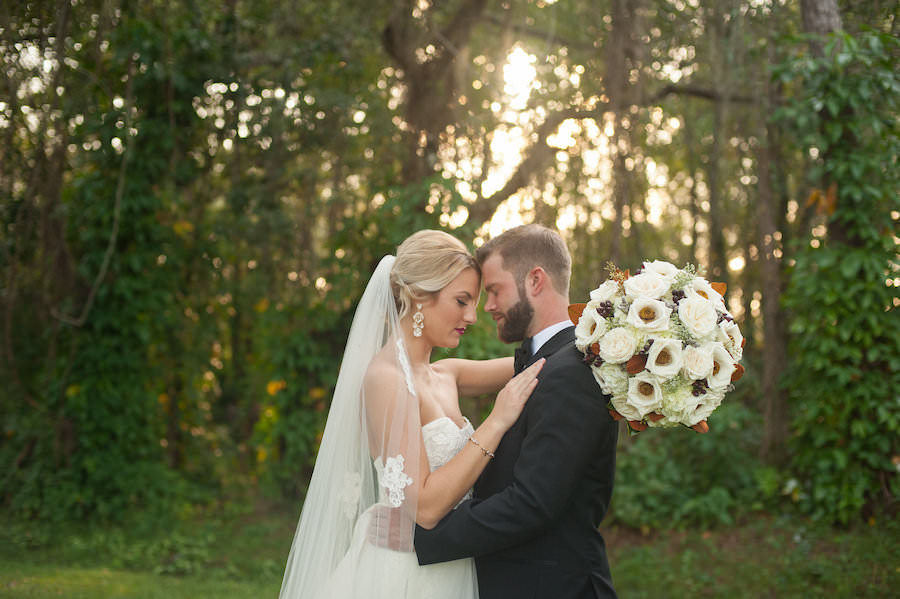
pixel 193 194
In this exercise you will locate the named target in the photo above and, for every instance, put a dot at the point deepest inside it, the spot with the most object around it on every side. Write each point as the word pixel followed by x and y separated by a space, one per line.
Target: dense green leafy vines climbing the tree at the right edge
pixel 844 371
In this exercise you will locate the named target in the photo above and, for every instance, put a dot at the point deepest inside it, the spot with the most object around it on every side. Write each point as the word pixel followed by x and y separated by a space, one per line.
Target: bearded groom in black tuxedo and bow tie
pixel 532 524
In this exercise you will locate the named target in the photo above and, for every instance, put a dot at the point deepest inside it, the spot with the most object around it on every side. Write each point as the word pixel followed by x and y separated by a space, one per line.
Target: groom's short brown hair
pixel 524 247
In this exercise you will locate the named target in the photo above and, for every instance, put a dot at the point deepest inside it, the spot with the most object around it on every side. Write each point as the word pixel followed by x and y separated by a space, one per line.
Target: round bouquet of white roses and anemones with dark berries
pixel 661 343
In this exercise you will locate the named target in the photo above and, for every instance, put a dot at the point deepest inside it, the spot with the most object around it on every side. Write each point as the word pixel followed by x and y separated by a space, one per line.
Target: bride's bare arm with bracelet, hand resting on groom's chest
pixel 439 491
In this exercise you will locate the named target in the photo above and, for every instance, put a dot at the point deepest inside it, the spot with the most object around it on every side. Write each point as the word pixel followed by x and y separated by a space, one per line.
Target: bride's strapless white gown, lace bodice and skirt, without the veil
pixel 397 574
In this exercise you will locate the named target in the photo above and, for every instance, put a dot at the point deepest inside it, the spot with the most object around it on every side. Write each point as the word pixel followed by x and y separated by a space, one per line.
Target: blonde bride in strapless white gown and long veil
pixel 396 449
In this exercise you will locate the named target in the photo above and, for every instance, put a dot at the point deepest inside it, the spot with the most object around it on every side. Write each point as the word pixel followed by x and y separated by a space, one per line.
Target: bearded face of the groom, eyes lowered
pixel 506 300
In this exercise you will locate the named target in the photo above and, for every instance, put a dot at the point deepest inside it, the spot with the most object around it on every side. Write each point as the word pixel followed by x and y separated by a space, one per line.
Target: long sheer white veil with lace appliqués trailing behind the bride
pixel 369 454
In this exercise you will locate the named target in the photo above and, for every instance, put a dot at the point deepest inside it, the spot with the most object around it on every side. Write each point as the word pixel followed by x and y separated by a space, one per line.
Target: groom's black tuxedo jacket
pixel 532 523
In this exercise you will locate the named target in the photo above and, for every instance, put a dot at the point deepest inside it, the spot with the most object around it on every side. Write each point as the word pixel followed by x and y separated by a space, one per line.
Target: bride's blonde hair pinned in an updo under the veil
pixel 427 262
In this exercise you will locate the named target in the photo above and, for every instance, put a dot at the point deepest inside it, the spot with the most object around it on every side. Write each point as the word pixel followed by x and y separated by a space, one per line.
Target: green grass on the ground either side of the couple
pixel 241 554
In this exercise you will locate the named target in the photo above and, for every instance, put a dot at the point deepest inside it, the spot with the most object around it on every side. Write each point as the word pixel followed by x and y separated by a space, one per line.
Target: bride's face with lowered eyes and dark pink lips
pixel 452 310
